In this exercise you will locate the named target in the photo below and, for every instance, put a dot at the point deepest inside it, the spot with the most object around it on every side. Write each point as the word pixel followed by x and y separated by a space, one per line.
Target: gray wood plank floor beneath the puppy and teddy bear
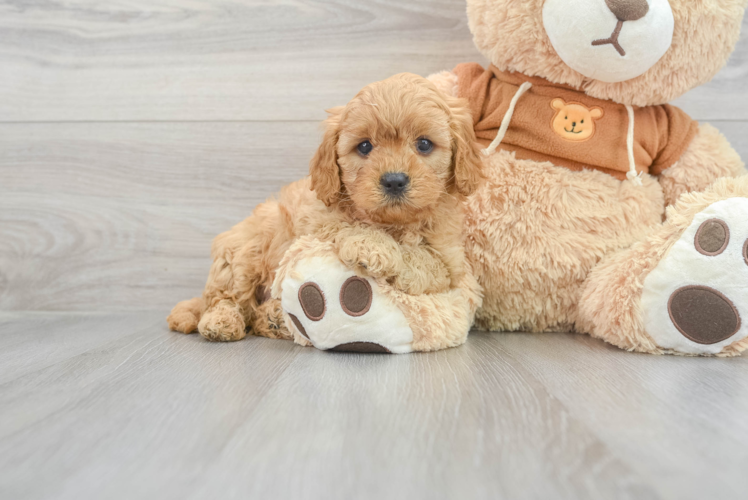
pixel 114 406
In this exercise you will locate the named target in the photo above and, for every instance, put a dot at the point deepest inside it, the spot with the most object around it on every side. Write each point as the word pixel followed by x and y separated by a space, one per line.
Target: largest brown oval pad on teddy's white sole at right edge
pixel 703 315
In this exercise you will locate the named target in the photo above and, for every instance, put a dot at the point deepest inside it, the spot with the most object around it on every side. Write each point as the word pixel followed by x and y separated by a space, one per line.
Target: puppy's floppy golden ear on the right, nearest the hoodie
pixel 466 158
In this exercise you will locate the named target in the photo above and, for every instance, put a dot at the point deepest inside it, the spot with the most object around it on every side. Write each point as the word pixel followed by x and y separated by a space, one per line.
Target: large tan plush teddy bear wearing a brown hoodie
pixel 606 211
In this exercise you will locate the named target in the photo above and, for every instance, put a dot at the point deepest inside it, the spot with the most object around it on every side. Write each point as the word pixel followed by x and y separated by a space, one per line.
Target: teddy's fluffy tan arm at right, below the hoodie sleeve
pixel 708 158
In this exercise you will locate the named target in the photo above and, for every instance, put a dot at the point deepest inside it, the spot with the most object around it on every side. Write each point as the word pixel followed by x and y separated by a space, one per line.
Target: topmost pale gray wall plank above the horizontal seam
pixel 197 60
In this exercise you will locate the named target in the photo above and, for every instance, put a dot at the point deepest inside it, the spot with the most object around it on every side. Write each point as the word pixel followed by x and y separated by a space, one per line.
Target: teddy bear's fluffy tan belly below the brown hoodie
pixel 536 230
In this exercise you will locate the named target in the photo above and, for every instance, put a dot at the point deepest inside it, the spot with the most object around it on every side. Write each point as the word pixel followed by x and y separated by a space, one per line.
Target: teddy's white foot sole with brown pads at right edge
pixel 696 300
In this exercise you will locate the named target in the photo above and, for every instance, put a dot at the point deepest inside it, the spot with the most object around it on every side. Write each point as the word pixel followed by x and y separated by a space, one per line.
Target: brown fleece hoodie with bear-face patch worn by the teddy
pixel 563 125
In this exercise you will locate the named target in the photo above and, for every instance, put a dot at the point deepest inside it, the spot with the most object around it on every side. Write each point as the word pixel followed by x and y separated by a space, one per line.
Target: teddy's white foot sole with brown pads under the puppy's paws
pixel 336 310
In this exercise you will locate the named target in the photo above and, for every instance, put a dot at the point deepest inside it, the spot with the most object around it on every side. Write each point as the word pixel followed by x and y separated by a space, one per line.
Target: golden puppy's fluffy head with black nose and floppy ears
pixel 395 151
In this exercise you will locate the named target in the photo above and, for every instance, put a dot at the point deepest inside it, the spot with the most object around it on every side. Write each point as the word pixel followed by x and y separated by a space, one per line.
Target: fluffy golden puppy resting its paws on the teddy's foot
pixel 414 240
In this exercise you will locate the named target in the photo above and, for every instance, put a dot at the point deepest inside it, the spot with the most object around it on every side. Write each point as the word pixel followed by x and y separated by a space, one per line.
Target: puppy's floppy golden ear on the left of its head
pixel 323 168
